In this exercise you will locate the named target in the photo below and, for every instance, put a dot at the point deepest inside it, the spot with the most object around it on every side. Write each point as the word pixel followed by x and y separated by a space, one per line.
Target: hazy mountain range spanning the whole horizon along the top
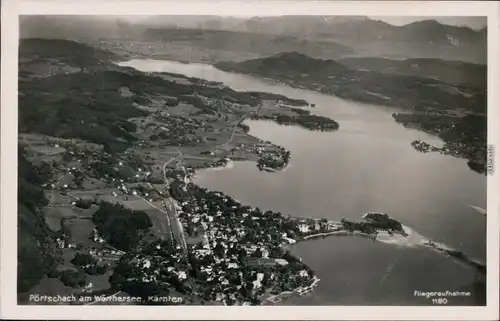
pixel 343 36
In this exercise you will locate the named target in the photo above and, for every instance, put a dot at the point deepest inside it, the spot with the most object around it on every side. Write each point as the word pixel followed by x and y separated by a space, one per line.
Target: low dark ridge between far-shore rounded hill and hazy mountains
pixel 452 72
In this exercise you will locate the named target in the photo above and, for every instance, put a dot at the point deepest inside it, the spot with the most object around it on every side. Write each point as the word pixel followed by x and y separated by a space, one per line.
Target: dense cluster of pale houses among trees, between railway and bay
pixel 239 250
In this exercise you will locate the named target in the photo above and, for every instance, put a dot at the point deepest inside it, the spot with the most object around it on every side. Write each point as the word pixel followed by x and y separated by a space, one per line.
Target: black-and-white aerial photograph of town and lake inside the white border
pixel 252 160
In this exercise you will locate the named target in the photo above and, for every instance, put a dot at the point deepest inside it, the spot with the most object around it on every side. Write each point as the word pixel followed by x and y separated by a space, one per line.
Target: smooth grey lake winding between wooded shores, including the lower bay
pixel 367 165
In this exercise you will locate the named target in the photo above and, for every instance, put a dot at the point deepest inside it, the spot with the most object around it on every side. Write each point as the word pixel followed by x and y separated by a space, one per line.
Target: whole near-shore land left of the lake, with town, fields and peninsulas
pixel 121 213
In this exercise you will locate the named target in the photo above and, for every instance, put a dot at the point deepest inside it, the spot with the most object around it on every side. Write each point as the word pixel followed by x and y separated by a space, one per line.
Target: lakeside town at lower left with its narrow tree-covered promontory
pixel 222 251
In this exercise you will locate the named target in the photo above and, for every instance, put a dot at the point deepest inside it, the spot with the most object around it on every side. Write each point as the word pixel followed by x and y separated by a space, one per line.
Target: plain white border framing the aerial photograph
pixel 8 192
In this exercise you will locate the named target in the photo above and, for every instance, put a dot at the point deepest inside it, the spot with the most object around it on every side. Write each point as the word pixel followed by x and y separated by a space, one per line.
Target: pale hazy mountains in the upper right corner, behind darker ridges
pixel 423 39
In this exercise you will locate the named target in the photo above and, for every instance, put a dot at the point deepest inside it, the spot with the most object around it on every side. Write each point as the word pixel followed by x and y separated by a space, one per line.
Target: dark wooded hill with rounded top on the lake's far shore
pixel 331 77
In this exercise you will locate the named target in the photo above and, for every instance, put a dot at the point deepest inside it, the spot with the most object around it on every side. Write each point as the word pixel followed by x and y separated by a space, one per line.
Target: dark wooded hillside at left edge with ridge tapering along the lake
pixel 79 96
